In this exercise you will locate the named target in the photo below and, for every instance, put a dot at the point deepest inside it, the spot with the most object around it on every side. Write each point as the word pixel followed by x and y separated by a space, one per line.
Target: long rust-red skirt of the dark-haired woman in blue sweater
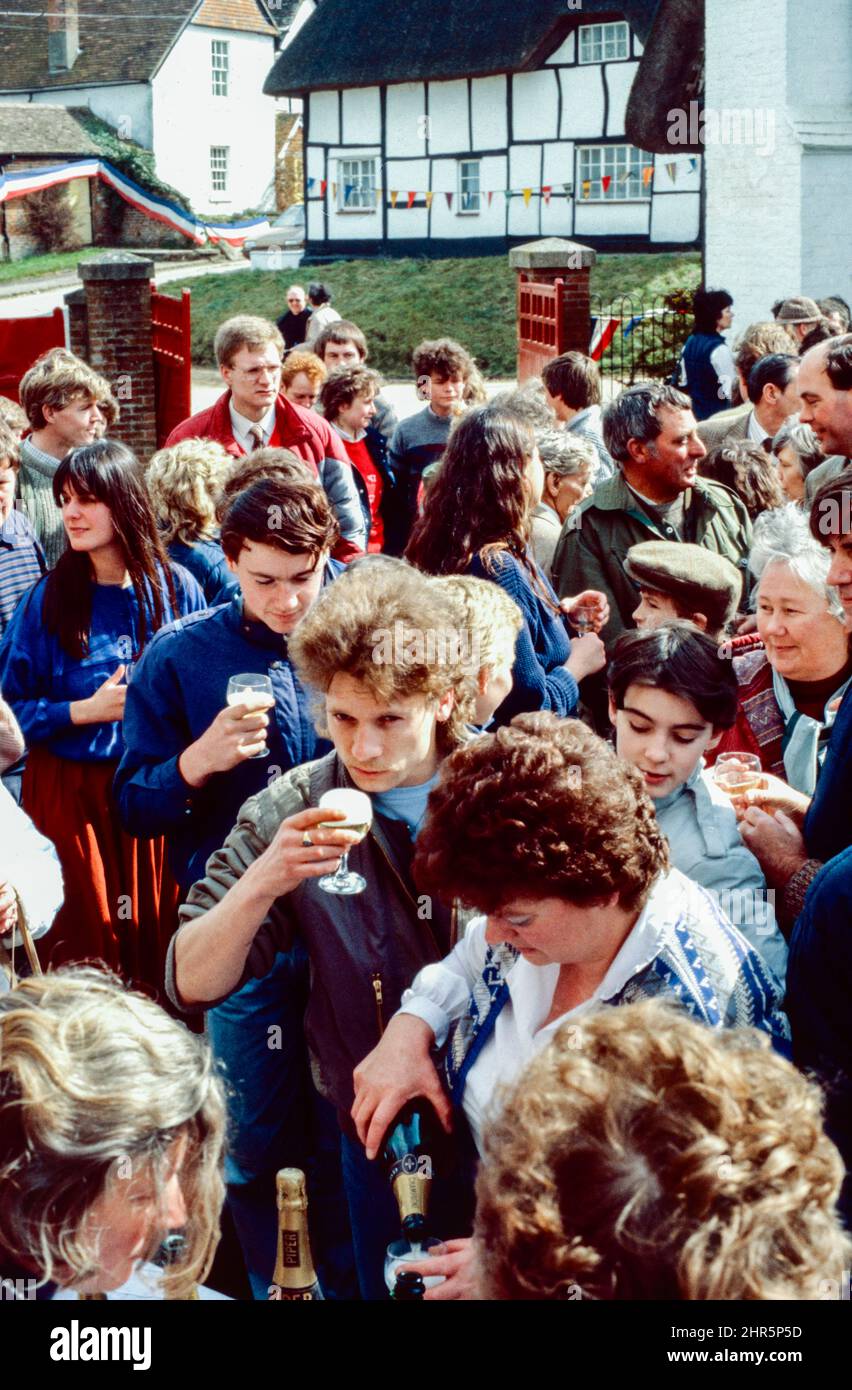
pixel 122 901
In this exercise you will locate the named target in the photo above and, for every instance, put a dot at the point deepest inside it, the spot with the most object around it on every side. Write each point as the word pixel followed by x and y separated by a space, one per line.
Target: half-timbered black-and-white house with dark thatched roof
pixel 458 129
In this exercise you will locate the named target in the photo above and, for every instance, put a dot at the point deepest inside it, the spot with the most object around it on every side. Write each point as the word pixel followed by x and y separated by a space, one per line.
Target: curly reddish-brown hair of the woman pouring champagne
pixel 540 810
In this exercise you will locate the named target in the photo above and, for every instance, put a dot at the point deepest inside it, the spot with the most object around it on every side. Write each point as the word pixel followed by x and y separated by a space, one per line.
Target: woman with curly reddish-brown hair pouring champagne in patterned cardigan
pixel 548 833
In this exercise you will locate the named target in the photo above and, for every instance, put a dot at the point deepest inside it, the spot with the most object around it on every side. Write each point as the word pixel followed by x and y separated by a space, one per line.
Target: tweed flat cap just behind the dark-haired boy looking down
pixel 700 580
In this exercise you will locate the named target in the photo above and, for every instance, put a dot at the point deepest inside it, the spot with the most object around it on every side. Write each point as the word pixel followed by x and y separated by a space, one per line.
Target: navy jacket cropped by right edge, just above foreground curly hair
pixel 819 989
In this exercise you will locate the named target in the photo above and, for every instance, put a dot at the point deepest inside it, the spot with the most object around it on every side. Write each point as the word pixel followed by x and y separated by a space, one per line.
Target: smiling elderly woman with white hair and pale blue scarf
pixel 792 689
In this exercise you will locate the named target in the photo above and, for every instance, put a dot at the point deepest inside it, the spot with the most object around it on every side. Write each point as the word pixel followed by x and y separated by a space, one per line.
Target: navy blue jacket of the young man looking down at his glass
pixel 177 692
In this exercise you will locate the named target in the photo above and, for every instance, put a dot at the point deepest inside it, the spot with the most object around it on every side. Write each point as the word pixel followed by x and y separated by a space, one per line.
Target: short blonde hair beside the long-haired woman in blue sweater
pixel 184 484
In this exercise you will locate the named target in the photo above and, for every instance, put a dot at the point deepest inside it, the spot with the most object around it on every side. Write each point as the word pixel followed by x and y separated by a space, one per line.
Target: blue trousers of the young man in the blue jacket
pixel 277 1120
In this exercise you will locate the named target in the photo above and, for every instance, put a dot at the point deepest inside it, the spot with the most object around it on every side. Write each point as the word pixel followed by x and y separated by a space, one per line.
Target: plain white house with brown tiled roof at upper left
pixel 183 79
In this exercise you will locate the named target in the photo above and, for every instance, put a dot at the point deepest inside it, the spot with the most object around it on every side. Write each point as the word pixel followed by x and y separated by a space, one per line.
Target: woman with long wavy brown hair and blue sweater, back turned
pixel 477 521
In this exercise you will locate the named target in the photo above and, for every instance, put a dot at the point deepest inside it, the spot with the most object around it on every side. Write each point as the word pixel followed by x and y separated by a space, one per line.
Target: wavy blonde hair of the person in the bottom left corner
pixel 95 1079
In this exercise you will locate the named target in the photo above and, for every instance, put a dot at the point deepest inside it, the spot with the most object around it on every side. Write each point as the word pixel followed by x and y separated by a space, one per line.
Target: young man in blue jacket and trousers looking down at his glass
pixel 191 761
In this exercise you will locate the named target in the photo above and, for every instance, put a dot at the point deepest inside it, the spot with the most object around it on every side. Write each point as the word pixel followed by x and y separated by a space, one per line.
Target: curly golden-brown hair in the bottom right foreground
pixel 643 1156
